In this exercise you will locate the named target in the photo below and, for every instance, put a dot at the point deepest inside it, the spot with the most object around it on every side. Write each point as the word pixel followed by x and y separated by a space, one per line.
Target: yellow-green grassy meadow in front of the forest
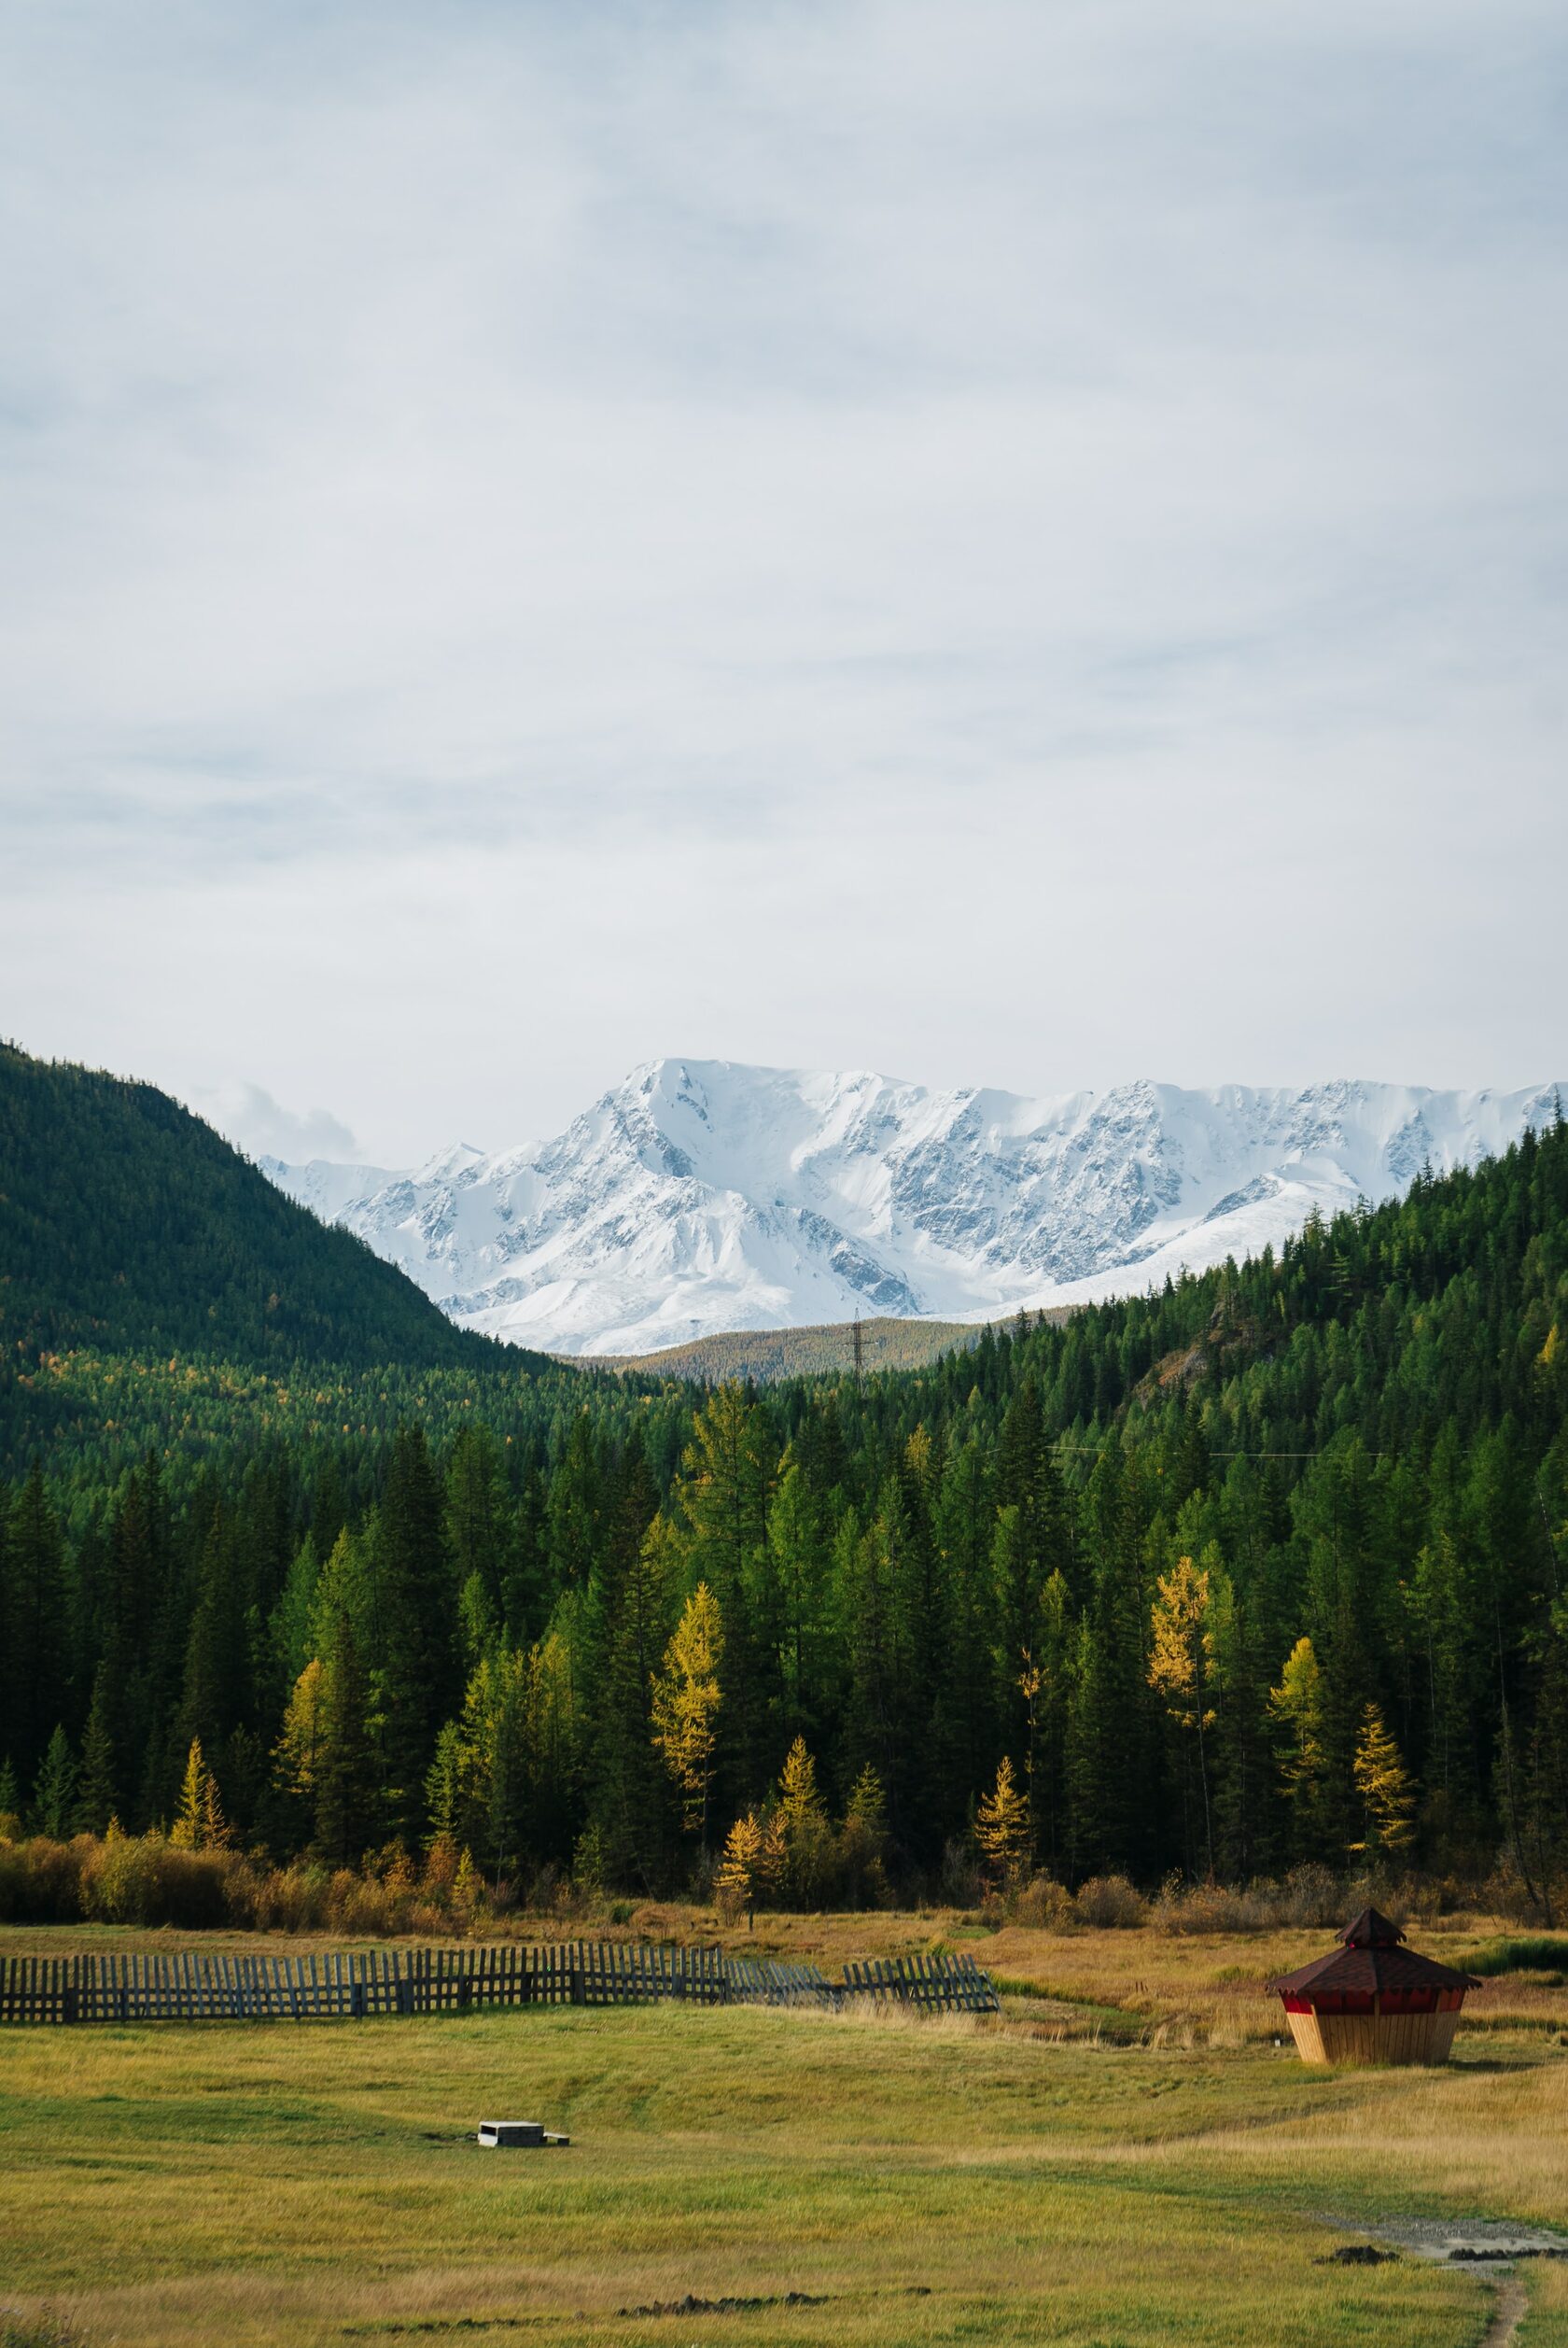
pixel 1126 2159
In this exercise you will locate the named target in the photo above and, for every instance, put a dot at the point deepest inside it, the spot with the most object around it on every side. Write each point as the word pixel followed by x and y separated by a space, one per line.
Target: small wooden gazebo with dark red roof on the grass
pixel 1372 2002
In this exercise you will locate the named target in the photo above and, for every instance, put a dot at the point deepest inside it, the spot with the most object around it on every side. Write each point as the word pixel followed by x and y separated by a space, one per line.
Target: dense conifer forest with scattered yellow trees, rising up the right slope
pixel 1266 1567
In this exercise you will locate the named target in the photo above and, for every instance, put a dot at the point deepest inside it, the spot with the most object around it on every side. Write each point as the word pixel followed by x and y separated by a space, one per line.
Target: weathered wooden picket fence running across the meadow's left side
pixel 189 1985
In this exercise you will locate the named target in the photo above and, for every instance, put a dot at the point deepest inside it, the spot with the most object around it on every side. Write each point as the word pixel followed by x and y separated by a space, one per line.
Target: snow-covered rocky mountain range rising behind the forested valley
pixel 710 1196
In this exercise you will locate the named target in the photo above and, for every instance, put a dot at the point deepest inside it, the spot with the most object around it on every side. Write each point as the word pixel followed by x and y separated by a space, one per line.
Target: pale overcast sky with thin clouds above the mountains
pixel 1003 544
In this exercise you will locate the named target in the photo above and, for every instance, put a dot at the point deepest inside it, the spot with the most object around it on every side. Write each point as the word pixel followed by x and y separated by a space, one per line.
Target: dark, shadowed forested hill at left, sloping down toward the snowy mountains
pixel 133 1227
